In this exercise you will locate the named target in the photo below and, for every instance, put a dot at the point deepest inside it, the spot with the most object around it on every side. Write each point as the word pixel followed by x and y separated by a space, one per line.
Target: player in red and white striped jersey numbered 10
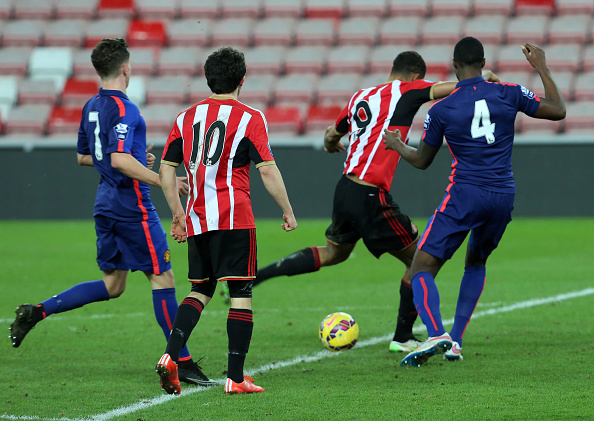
pixel 216 140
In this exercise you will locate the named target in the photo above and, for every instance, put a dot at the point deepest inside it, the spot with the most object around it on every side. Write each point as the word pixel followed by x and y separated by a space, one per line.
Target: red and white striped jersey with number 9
pixel 369 112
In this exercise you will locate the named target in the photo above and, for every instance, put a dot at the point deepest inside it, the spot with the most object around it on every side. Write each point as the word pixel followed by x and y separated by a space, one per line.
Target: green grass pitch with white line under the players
pixel 97 362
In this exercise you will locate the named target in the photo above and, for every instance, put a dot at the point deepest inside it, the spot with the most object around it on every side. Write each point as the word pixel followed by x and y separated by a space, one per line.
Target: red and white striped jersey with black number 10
pixel 216 140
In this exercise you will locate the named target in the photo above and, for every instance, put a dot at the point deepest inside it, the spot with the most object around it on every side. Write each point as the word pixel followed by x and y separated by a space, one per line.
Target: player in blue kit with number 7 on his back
pixel 112 138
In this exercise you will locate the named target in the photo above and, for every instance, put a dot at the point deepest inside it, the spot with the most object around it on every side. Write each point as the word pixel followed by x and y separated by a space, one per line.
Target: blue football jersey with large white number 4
pixel 477 121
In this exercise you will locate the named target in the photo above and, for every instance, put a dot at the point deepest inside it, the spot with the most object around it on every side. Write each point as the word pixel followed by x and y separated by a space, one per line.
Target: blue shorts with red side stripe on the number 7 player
pixel 132 245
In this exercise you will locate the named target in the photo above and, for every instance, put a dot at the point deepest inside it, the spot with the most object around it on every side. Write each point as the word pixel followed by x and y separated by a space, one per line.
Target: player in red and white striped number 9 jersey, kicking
pixel 363 206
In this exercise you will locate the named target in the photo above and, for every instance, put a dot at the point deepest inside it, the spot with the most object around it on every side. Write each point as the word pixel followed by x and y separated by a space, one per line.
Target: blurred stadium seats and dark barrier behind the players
pixel 305 59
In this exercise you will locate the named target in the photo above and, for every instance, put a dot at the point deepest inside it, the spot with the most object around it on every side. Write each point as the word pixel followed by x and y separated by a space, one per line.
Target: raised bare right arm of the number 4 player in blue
pixel 552 106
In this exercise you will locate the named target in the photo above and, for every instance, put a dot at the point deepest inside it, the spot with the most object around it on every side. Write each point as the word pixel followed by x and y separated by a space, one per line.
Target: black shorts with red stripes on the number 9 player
pixel 369 213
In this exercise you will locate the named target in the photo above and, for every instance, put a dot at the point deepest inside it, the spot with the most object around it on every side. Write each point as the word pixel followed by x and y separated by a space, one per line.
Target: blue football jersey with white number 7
pixel 112 123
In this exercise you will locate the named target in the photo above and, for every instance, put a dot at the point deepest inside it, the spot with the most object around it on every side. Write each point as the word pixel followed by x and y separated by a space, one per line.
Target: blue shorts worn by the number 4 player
pixel 467 208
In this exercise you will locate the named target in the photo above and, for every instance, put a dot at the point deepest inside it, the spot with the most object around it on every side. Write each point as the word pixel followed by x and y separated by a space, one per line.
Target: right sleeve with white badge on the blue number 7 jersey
pixel 120 130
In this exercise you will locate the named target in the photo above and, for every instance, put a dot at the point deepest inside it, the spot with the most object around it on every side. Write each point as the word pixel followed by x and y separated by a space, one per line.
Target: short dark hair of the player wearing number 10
pixel 224 70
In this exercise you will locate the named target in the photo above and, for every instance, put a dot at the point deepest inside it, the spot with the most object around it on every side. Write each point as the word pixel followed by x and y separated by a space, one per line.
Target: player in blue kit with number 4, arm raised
pixel 477 120
